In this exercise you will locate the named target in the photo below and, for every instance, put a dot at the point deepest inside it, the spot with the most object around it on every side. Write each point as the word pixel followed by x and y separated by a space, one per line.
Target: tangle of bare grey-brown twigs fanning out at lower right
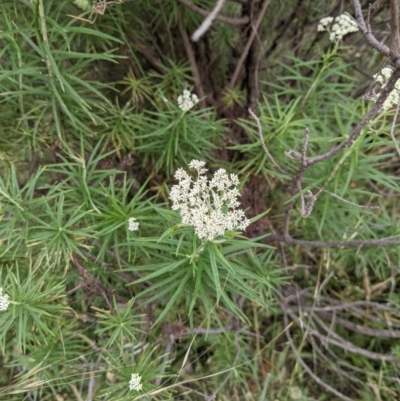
pixel 309 313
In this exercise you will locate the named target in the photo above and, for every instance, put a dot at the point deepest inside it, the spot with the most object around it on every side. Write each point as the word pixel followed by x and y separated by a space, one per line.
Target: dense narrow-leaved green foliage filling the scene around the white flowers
pixel 91 135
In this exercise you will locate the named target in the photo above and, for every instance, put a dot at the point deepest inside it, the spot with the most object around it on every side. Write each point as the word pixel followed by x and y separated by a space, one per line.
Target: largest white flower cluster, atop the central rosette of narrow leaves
pixel 208 205
